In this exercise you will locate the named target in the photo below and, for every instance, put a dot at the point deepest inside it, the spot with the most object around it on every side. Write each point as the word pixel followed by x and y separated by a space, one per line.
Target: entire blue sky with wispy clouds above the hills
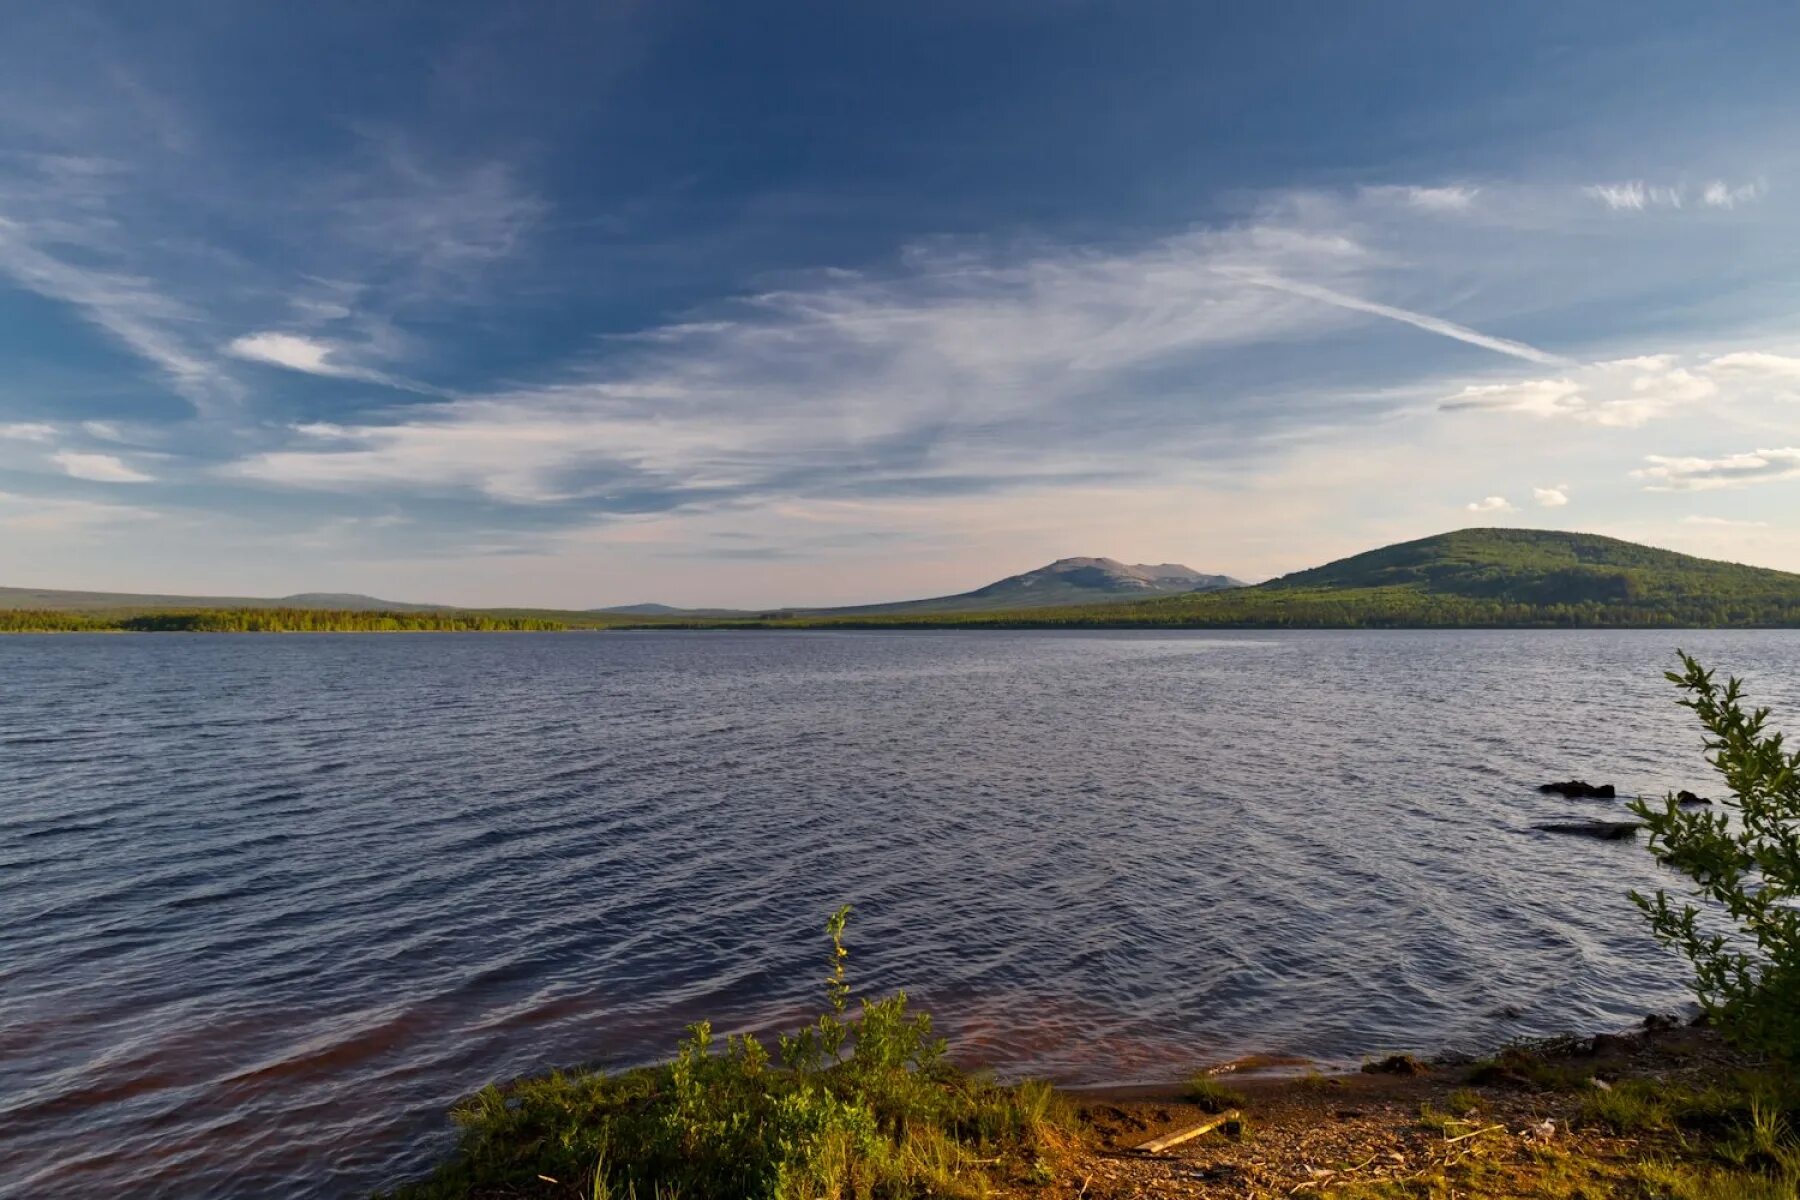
pixel 586 305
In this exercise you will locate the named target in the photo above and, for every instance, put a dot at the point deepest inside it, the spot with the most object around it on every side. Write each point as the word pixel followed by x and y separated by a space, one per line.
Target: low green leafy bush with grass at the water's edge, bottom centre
pixel 858 1107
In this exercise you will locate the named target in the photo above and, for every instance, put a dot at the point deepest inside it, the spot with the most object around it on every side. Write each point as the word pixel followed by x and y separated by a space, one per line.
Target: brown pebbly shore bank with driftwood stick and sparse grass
pixel 1659 1113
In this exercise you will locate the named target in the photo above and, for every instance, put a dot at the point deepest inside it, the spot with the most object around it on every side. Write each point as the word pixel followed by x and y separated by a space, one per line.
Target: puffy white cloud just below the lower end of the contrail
pixel 1623 393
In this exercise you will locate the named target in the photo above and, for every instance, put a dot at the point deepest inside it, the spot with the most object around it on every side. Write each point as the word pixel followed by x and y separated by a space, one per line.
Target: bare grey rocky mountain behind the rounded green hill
pixel 1065 582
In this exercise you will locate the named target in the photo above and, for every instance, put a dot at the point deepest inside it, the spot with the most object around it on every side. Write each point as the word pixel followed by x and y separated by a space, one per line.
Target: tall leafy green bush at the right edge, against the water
pixel 1747 863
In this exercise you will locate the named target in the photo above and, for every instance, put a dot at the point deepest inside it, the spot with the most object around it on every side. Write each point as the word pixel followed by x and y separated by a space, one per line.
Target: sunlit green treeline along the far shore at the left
pixel 271 622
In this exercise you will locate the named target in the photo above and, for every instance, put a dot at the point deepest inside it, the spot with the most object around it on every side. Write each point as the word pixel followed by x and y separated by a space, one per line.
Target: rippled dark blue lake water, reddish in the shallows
pixel 269 906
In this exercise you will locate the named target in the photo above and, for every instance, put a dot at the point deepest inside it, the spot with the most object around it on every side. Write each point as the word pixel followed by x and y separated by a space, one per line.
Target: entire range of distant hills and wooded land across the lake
pixel 1470 578
